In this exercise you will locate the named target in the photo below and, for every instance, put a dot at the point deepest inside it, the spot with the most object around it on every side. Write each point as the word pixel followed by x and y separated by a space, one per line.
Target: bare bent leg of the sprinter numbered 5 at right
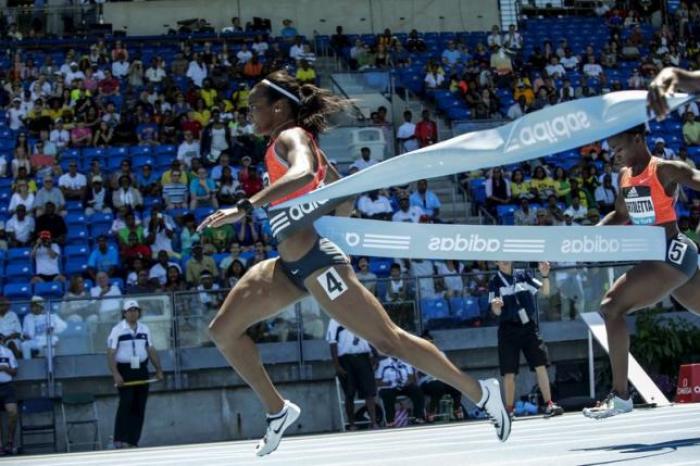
pixel 645 284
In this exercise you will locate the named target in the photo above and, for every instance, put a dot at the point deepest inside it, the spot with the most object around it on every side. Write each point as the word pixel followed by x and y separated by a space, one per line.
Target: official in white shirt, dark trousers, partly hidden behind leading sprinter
pixel 352 358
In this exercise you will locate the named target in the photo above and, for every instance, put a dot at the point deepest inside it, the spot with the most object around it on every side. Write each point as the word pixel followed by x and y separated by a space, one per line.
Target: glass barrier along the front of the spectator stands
pixel 181 320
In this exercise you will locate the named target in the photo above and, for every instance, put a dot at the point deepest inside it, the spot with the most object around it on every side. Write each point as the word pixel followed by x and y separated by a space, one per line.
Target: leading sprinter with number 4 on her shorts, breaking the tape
pixel 292 115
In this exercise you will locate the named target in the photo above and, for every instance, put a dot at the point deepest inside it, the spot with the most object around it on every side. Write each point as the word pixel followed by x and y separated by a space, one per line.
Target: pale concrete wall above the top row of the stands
pixel 357 16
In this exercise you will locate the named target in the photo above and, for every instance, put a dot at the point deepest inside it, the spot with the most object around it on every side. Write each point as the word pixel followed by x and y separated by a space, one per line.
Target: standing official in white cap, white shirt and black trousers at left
pixel 129 348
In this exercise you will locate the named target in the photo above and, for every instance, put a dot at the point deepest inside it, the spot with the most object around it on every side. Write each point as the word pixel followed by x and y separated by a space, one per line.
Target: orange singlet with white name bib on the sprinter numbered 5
pixel 645 197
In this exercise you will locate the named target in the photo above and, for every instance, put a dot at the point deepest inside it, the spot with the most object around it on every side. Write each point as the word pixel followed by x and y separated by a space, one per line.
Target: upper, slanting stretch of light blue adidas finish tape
pixel 559 128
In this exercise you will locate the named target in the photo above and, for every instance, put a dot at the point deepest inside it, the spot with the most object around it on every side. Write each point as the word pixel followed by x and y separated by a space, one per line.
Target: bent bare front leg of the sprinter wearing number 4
pixel 262 292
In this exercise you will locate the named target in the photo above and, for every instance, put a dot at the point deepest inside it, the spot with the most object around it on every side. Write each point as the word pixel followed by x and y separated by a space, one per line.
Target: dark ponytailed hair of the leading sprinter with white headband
pixel 315 104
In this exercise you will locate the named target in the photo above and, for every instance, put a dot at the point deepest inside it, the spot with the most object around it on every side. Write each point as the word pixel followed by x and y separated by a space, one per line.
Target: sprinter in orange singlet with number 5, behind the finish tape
pixel 648 188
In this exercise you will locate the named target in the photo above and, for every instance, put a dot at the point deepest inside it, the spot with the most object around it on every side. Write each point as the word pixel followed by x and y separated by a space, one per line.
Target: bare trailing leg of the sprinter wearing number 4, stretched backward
pixel 358 310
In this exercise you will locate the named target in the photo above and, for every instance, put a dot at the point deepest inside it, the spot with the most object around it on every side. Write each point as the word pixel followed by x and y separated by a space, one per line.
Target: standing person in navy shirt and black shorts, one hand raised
pixel 513 300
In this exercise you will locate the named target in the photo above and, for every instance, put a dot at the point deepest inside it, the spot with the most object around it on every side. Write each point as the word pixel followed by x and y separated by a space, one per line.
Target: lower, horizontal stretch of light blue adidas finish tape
pixel 488 242
